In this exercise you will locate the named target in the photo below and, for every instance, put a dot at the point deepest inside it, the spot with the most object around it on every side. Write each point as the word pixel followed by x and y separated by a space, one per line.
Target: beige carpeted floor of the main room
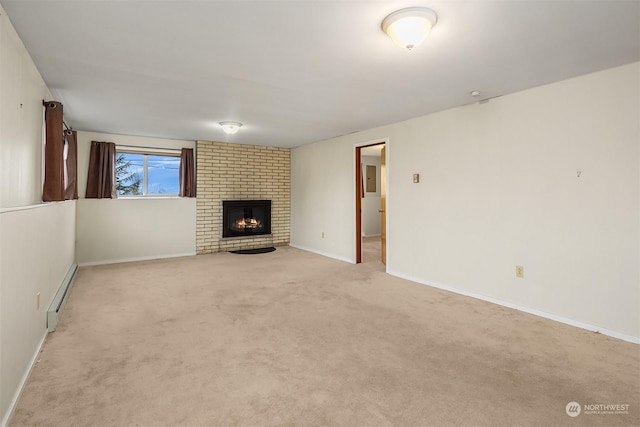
pixel 290 338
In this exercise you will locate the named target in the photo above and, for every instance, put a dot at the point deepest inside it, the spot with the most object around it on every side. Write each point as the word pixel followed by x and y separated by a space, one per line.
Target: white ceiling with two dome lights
pixel 295 72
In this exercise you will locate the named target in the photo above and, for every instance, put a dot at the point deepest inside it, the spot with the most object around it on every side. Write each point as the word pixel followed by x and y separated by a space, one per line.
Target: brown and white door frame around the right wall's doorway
pixel 357 209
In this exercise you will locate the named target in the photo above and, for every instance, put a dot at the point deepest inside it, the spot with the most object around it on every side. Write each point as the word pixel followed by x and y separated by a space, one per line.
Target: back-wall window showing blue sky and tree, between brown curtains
pixel 147 173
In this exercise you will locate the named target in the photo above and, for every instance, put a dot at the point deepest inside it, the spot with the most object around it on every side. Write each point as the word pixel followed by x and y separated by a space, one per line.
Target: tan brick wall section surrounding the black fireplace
pixel 237 172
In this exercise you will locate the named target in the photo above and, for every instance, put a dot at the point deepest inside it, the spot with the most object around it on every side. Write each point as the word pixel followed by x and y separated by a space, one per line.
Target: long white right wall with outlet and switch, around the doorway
pixel 499 188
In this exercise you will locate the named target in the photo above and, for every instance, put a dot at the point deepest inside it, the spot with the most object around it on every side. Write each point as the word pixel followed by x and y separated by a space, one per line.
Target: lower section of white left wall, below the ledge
pixel 36 251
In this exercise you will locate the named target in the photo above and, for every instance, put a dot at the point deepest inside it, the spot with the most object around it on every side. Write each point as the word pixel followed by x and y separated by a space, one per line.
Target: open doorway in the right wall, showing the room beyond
pixel 370 193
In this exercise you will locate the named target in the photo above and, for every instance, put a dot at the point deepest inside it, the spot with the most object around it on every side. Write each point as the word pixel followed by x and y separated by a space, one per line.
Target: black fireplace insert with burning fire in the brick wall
pixel 246 217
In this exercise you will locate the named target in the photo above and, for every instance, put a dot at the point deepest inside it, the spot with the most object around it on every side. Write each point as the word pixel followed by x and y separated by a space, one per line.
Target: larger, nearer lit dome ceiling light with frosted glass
pixel 409 27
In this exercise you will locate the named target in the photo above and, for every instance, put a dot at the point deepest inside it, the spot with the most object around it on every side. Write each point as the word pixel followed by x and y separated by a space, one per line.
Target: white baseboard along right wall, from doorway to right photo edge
pixel 536 312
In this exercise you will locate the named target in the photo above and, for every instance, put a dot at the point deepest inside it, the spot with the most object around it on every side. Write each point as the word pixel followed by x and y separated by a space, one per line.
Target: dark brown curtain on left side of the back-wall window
pixel 101 178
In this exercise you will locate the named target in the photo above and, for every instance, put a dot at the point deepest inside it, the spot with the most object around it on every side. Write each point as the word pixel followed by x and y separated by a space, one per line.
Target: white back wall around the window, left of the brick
pixel 128 229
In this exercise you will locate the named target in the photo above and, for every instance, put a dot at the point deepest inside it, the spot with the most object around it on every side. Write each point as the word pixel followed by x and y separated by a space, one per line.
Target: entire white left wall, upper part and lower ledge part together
pixel 36 240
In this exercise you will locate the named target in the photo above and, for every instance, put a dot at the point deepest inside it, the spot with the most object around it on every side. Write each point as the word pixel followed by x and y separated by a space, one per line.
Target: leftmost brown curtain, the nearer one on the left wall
pixel 53 189
